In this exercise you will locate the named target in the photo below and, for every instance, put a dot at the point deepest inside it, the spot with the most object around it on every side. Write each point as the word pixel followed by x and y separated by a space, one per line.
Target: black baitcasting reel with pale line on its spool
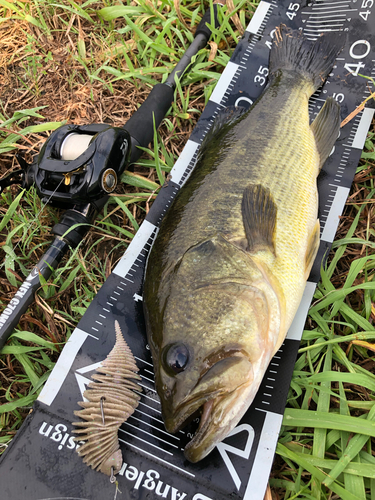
pixel 78 164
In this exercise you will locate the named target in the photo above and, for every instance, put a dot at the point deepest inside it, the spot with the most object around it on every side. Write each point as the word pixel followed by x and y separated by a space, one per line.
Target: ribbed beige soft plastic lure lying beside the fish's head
pixel 111 401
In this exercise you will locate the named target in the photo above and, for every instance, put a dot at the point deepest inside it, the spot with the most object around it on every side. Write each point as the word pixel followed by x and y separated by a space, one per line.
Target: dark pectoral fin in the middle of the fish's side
pixel 259 218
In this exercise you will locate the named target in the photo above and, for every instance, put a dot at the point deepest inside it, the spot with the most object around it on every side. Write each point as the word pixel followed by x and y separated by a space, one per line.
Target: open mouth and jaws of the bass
pixel 221 404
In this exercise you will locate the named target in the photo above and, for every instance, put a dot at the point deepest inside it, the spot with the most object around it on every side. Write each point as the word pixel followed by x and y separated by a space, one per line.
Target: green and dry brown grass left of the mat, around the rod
pixel 66 61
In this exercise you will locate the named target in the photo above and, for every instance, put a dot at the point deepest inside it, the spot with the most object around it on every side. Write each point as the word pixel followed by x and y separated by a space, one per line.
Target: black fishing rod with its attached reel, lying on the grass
pixel 80 165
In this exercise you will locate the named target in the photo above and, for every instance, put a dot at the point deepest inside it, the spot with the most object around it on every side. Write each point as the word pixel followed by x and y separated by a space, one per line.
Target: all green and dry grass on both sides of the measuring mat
pixel 94 61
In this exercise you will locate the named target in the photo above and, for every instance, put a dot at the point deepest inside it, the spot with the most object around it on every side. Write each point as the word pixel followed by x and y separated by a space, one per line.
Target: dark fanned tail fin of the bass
pixel 312 59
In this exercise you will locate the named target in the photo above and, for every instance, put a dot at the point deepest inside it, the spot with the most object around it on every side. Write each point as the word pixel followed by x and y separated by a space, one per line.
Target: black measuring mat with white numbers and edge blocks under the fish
pixel 42 462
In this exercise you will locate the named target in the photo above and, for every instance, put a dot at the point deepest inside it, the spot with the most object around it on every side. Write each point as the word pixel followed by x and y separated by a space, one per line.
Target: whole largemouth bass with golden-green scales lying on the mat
pixel 229 265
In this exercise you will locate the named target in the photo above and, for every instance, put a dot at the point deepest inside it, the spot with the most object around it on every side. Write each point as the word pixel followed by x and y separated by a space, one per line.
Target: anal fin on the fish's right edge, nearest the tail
pixel 326 128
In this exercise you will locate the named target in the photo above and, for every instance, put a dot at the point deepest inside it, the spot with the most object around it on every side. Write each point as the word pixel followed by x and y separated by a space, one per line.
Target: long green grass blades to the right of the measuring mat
pixel 327 439
